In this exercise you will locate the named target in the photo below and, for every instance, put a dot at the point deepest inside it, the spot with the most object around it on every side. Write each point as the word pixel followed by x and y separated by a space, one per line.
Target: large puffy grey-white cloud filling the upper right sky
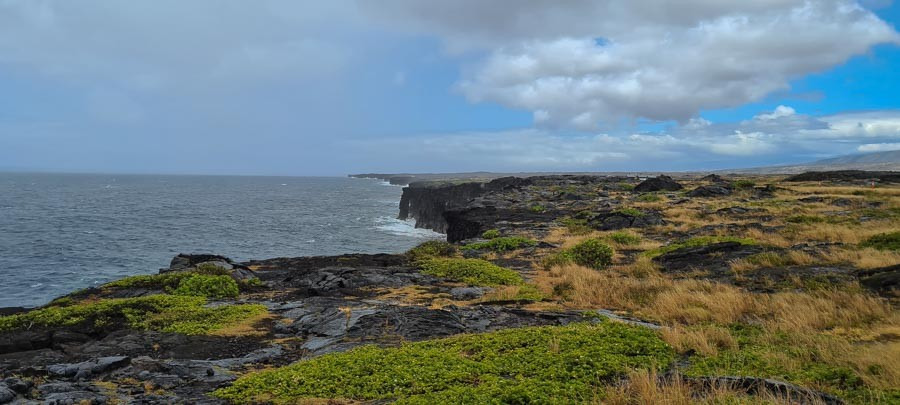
pixel 578 63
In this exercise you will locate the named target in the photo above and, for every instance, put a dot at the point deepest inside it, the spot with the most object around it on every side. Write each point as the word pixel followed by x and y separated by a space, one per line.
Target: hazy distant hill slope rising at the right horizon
pixel 884 161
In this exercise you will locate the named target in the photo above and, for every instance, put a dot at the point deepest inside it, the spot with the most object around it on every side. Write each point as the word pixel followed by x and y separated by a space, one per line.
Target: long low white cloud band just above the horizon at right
pixel 698 144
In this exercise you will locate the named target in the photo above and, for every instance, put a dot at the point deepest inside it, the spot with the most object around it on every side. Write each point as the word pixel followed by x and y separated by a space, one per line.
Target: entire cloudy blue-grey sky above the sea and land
pixel 284 87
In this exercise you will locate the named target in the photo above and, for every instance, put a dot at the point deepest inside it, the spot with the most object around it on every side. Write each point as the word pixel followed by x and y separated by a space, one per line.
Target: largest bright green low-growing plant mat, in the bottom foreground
pixel 551 364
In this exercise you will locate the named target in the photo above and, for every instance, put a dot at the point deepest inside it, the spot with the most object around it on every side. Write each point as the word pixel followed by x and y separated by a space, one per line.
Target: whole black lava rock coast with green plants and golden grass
pixel 190 332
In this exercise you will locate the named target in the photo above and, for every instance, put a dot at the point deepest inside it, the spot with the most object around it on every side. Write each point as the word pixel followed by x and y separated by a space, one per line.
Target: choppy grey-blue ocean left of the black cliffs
pixel 61 232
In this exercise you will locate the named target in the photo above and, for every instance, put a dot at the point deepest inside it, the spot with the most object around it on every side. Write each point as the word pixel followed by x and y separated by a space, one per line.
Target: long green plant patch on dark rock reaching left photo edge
pixel 166 313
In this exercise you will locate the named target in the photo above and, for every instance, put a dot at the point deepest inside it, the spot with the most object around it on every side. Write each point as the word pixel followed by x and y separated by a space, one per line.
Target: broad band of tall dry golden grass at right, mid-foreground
pixel 691 302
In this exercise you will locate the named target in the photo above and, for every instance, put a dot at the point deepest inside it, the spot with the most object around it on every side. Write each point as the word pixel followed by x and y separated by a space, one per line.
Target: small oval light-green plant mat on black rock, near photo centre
pixel 475 272
